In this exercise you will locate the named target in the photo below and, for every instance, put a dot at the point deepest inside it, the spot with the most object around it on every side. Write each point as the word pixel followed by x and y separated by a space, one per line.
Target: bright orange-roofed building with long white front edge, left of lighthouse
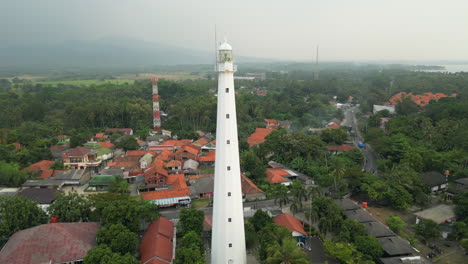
pixel 172 191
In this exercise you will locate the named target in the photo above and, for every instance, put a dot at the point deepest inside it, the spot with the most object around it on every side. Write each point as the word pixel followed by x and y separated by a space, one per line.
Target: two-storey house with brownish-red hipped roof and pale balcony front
pixel 81 158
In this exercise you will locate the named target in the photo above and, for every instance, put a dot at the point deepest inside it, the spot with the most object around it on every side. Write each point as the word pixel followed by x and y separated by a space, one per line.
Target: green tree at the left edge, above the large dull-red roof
pixel 18 213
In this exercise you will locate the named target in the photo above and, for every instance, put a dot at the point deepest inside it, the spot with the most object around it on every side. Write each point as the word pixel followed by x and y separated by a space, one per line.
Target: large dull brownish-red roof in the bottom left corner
pixel 50 243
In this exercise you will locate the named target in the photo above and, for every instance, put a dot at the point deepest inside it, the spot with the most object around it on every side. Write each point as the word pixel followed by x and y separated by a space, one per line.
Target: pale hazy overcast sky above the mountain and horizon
pixel 344 29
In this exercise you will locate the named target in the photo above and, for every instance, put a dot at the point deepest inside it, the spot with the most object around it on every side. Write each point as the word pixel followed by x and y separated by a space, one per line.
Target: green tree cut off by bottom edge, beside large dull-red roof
pixel 102 254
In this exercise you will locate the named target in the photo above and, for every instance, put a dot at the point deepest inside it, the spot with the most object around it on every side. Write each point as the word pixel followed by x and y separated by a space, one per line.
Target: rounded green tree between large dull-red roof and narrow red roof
pixel 118 238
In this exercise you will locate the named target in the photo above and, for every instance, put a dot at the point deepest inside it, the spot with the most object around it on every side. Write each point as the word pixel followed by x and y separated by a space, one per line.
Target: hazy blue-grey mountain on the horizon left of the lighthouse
pixel 109 52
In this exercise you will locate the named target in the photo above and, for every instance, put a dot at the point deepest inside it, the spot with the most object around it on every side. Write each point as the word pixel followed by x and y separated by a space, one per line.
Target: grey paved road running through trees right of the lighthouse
pixel 370 157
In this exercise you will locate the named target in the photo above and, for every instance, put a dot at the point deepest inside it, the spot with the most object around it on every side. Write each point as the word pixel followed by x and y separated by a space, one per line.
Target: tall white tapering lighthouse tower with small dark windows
pixel 228 238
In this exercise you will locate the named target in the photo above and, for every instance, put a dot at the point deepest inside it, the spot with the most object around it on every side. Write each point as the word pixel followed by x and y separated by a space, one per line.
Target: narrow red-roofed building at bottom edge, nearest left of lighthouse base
pixel 158 245
